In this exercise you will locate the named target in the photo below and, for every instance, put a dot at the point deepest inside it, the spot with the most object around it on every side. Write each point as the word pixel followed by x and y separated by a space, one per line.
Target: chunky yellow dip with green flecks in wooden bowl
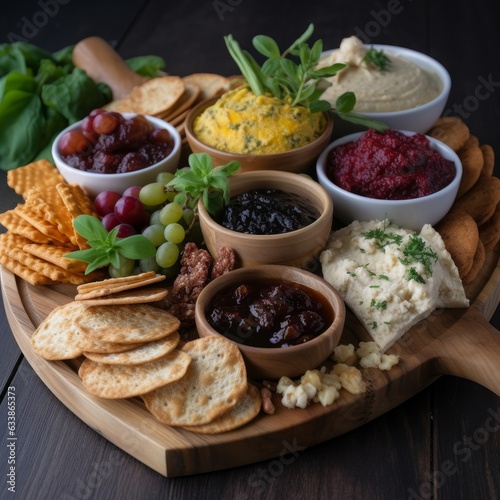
pixel 243 123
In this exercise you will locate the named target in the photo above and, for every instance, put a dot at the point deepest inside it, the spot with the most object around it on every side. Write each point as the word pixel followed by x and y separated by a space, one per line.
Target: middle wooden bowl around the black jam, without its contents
pixel 297 248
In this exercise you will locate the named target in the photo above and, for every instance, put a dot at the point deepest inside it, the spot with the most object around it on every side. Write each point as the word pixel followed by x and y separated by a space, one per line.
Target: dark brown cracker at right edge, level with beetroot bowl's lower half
pixel 481 200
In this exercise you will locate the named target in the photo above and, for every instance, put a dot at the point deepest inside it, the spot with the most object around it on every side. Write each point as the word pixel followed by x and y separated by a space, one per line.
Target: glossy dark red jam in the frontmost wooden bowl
pixel 269 314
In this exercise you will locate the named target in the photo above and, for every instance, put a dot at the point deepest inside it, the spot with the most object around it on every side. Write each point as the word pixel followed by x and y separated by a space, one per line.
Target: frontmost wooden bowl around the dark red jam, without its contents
pixel 273 363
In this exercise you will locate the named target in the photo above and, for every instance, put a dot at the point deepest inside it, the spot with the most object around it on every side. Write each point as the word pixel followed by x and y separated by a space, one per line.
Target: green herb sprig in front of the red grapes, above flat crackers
pixel 105 247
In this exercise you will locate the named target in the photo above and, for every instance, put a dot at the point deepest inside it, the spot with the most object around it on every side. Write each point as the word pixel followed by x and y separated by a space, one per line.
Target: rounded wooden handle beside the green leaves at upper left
pixel 103 64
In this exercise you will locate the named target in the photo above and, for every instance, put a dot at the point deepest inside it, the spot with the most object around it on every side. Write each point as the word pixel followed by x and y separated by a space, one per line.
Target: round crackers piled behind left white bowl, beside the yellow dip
pixel 171 97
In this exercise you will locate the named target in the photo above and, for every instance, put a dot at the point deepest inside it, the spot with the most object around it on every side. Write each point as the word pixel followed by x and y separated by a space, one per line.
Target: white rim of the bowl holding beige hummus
pixel 416 57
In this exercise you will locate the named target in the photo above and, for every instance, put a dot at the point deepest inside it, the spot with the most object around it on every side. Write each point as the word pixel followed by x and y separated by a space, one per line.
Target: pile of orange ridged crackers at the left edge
pixel 40 230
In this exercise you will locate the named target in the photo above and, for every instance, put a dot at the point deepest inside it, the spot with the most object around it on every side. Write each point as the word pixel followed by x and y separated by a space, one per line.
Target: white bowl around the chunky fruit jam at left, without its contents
pixel 94 183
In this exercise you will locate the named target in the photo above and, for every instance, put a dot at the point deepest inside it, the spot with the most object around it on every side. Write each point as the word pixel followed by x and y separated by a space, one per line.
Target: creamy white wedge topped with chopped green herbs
pixel 391 278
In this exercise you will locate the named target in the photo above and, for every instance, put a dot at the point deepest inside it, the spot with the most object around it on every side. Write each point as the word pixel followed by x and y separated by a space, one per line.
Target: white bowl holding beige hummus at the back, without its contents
pixel 418 119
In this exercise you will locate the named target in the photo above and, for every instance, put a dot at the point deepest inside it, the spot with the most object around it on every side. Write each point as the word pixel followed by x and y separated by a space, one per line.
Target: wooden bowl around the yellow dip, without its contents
pixel 296 160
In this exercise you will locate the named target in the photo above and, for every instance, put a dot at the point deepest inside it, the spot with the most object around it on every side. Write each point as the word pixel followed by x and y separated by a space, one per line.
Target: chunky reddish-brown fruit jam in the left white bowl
pixel 108 143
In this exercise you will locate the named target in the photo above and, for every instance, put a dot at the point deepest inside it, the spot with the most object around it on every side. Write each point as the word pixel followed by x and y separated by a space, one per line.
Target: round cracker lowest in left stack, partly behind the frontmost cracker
pixel 125 381
